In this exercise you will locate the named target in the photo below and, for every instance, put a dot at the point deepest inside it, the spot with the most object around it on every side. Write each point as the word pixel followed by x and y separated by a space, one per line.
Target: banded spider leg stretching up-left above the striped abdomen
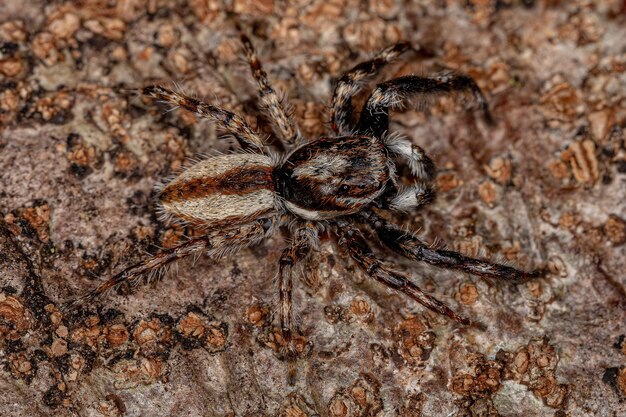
pixel 224 119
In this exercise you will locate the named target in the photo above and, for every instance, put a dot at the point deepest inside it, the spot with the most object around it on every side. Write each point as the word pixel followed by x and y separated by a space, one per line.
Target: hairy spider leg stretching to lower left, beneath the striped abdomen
pixel 216 244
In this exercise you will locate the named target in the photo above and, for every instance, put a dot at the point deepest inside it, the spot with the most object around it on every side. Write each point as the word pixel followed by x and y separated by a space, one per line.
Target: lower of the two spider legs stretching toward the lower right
pixel 362 254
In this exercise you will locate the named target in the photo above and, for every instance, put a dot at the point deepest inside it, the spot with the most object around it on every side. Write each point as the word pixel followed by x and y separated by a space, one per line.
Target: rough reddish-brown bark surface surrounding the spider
pixel 544 186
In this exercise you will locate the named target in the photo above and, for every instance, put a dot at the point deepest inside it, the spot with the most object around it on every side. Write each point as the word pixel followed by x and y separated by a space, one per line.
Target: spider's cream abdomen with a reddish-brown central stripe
pixel 221 190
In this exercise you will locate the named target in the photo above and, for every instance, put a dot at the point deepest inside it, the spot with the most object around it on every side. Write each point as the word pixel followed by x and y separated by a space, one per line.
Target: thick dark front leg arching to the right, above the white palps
pixel 374 118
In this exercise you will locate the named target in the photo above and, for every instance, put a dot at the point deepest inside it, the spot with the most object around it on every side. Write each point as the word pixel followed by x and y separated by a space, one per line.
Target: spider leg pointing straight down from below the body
pixel 303 239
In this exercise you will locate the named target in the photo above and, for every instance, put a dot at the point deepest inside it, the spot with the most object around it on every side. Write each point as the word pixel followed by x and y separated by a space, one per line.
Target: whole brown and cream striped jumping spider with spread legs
pixel 333 183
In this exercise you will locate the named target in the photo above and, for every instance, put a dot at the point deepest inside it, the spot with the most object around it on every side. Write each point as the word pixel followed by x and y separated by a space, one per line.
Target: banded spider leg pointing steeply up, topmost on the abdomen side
pixel 280 114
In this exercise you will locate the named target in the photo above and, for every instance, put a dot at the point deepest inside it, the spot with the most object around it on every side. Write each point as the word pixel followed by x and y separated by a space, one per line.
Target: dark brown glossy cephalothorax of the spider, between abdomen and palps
pixel 331 176
